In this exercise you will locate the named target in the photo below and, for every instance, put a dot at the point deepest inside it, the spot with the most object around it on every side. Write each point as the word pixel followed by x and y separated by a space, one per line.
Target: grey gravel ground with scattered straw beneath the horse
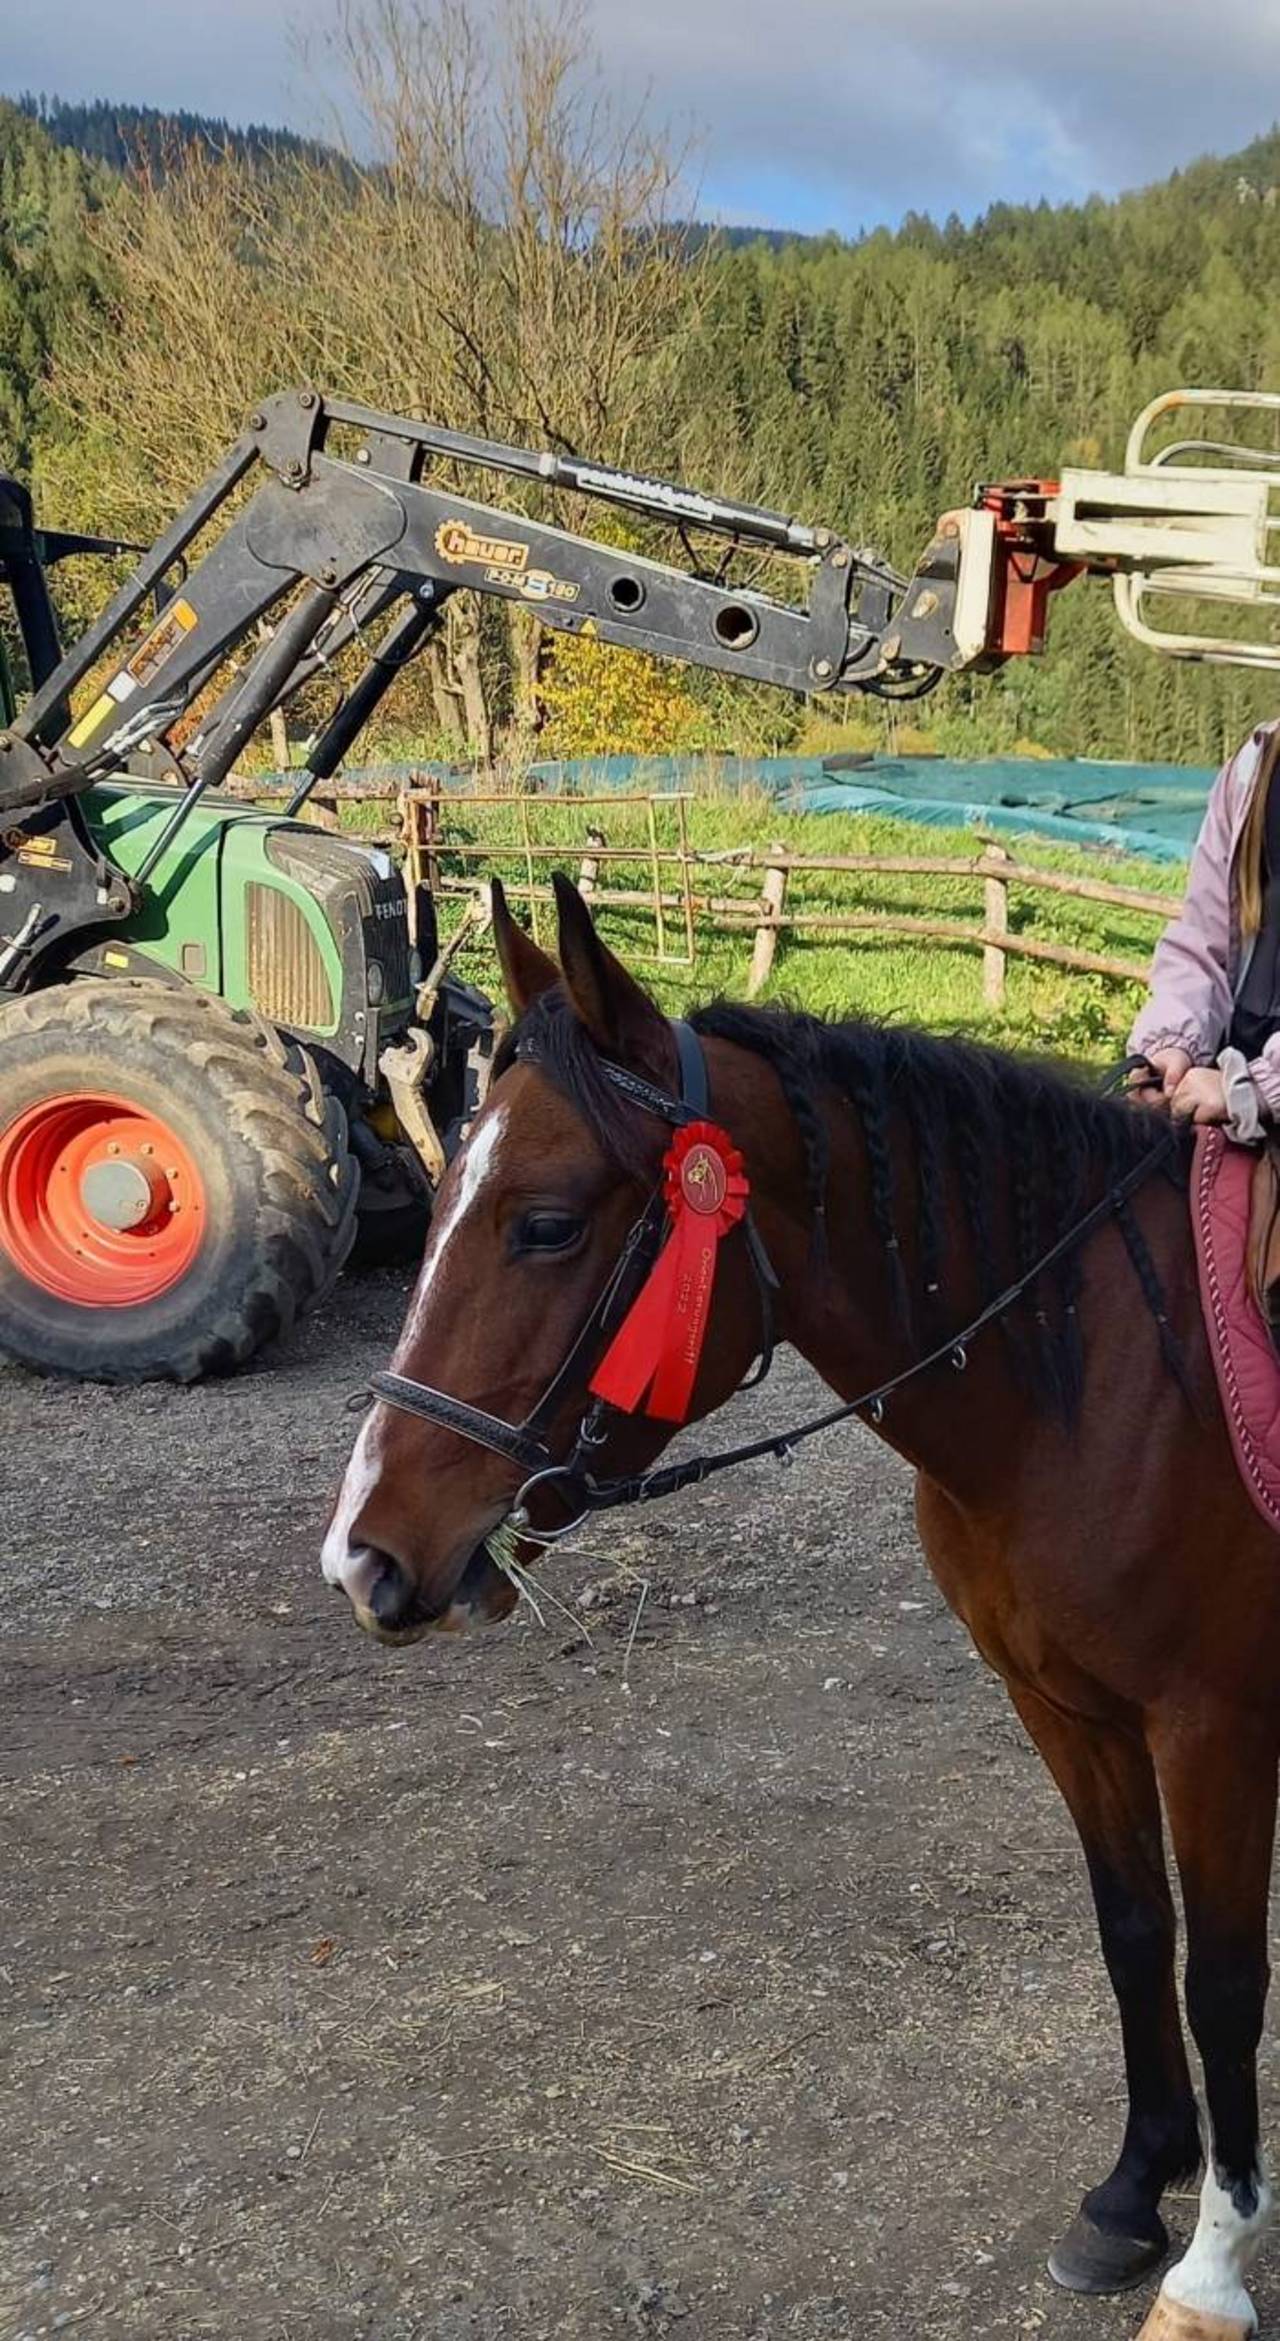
pixel 504 1989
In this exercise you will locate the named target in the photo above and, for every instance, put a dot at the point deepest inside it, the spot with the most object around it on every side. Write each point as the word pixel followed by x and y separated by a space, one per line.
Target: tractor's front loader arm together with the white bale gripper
pixel 322 544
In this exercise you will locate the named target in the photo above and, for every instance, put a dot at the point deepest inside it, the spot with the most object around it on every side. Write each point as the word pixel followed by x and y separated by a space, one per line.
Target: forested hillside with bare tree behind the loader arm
pixel 509 256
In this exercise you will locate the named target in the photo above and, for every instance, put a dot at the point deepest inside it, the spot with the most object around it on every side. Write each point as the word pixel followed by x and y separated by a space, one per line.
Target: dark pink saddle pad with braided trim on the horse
pixel 1246 1366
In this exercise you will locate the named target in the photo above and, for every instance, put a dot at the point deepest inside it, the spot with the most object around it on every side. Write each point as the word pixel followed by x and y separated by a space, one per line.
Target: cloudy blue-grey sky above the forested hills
pixel 806 114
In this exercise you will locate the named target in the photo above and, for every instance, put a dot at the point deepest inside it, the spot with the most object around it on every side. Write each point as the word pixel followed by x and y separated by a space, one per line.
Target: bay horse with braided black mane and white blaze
pixel 1075 1495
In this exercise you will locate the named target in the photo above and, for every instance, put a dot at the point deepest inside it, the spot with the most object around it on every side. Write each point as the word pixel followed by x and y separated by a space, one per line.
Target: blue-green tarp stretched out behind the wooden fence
pixel 1141 809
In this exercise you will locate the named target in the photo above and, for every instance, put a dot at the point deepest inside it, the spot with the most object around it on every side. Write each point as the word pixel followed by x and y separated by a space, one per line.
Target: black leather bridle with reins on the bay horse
pixel 574 1481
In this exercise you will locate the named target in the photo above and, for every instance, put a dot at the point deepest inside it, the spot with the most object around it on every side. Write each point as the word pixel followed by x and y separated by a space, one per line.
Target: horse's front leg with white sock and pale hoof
pixel 1220 1797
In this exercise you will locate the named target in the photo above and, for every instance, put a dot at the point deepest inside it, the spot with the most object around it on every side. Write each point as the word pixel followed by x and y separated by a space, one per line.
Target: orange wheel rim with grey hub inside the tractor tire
pixel 99 1202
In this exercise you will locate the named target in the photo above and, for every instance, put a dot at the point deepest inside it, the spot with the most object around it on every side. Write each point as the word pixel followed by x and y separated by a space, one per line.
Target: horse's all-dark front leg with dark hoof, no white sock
pixel 1110 1787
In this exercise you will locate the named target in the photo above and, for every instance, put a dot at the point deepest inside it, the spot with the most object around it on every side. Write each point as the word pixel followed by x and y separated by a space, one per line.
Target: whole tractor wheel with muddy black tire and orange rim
pixel 174 1183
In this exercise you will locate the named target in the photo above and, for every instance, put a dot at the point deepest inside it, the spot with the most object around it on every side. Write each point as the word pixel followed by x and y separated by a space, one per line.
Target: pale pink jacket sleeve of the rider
pixel 1190 1001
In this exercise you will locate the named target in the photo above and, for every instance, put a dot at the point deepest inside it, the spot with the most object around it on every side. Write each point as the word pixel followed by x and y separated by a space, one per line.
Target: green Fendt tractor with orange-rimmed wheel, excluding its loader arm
pixel 235 1062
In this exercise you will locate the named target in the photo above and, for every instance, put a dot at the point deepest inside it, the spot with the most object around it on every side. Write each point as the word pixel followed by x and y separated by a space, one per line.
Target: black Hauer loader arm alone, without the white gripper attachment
pixel 343 540
